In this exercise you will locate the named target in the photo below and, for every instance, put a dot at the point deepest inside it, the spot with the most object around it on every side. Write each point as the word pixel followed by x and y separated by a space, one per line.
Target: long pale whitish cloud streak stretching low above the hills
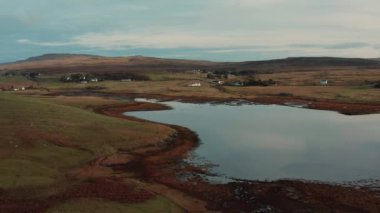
pixel 154 38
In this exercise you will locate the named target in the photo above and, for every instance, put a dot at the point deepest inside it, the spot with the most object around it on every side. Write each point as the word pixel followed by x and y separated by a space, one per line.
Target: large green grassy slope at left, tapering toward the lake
pixel 40 141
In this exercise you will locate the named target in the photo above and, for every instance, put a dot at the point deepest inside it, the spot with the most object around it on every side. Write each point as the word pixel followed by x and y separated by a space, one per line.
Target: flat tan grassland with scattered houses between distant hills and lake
pixel 344 85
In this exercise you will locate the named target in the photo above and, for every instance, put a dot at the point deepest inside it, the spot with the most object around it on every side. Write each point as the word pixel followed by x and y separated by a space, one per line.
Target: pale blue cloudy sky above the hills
pixel 217 30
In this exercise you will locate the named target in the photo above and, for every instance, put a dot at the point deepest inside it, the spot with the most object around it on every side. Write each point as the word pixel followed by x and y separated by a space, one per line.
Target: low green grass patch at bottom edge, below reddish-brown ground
pixel 158 205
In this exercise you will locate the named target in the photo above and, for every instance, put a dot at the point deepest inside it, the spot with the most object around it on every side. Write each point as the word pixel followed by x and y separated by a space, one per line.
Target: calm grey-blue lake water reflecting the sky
pixel 275 142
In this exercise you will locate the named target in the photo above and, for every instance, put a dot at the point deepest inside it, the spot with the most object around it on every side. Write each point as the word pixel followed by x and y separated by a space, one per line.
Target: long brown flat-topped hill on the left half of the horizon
pixel 57 63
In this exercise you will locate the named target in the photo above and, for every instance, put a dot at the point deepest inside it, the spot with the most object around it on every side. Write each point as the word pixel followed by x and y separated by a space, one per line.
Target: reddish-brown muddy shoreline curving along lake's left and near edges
pixel 163 166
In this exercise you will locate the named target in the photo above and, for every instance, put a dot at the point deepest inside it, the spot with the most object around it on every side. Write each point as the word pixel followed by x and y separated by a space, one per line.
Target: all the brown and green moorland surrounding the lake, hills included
pixel 66 146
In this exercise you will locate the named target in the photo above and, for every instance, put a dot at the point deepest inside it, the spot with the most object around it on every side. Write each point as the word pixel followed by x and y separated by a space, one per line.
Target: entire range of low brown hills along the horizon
pixel 58 63
